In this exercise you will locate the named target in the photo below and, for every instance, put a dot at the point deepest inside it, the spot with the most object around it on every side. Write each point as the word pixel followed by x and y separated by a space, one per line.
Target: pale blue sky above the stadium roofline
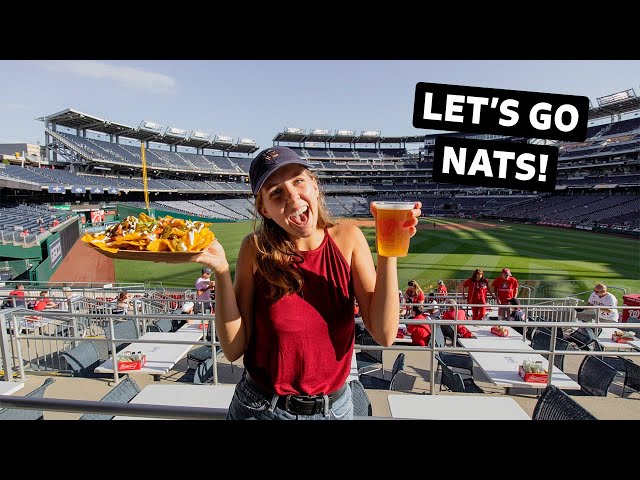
pixel 258 98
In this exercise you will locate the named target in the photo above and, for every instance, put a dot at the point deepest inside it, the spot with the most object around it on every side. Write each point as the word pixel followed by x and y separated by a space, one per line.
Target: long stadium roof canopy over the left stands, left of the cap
pixel 77 120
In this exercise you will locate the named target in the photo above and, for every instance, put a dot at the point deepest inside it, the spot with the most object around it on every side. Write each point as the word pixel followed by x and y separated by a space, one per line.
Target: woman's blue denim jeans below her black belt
pixel 248 403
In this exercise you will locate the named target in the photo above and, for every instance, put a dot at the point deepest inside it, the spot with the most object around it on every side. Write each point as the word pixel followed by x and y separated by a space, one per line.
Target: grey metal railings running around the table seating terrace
pixel 14 315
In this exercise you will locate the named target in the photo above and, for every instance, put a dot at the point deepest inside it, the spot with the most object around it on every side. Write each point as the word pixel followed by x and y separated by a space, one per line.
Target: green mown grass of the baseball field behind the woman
pixel 556 261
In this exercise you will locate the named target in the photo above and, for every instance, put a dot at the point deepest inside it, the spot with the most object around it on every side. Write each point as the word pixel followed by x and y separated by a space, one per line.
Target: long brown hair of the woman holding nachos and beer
pixel 276 254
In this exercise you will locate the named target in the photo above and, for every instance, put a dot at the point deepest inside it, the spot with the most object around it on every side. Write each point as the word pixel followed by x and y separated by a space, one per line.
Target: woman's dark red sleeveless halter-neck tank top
pixel 302 344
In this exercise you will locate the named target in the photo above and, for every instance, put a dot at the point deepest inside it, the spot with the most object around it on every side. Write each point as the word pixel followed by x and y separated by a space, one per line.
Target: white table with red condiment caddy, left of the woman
pixel 161 357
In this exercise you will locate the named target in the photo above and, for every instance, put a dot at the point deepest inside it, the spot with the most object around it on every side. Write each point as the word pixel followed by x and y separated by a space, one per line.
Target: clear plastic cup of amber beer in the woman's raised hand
pixel 392 234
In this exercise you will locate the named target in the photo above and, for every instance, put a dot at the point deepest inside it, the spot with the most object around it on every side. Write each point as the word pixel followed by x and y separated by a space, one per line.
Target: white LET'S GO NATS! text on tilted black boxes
pixel 513 113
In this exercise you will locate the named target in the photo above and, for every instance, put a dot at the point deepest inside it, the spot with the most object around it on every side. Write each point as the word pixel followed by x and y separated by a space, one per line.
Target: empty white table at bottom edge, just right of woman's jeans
pixel 455 407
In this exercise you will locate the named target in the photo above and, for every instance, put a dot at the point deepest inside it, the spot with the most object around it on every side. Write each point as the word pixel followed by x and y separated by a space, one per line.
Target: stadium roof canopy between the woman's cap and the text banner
pixel 342 136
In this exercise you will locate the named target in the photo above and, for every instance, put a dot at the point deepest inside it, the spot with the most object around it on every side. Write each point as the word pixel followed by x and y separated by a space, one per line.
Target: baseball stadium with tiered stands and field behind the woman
pixel 88 173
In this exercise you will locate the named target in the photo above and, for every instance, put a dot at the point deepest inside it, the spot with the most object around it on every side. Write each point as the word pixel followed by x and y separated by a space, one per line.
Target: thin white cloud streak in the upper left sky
pixel 129 77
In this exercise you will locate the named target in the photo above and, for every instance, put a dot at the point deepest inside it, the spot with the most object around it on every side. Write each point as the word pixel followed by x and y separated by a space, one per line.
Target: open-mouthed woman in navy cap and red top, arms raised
pixel 290 312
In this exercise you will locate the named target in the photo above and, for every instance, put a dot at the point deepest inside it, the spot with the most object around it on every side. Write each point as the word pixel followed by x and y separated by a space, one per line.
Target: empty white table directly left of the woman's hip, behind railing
pixel 212 396
